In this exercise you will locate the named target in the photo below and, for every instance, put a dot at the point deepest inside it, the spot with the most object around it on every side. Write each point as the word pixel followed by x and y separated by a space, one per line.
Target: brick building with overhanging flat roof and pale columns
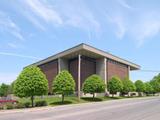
pixel 84 60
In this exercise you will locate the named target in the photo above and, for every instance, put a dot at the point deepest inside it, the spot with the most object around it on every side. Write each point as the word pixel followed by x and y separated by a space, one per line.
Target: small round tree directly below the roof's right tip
pixel 140 86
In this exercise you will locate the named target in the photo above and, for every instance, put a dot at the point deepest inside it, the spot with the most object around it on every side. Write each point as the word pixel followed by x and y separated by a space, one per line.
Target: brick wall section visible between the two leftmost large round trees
pixel 50 69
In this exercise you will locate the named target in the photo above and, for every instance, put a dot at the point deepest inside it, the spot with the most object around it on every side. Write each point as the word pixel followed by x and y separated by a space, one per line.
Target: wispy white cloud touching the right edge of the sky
pixel 147 26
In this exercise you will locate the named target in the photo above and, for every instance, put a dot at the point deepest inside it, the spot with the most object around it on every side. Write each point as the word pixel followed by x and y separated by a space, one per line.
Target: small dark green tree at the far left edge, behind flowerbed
pixel 4 90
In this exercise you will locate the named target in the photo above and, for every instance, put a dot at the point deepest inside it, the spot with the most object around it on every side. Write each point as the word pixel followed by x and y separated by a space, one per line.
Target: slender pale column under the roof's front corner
pixel 79 76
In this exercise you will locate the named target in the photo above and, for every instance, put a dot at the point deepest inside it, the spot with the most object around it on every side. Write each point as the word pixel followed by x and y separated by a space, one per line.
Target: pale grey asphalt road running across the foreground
pixel 126 109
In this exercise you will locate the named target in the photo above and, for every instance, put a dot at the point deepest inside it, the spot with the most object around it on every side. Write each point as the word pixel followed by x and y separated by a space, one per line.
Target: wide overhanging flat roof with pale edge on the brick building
pixel 84 48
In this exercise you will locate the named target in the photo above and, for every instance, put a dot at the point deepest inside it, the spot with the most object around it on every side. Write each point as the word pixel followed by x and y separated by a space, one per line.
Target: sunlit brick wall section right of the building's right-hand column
pixel 116 69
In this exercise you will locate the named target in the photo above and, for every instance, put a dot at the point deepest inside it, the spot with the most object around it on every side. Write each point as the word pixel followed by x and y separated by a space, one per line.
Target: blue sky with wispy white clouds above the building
pixel 31 30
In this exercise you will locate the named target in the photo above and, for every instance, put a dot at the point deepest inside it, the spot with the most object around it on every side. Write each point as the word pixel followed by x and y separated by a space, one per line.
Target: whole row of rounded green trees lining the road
pixel 32 82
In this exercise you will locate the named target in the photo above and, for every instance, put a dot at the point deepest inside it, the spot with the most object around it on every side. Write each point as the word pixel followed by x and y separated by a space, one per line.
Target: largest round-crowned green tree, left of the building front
pixel 31 82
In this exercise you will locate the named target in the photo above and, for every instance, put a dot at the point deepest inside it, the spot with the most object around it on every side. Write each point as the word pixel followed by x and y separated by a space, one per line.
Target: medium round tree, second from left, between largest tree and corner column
pixel 63 84
